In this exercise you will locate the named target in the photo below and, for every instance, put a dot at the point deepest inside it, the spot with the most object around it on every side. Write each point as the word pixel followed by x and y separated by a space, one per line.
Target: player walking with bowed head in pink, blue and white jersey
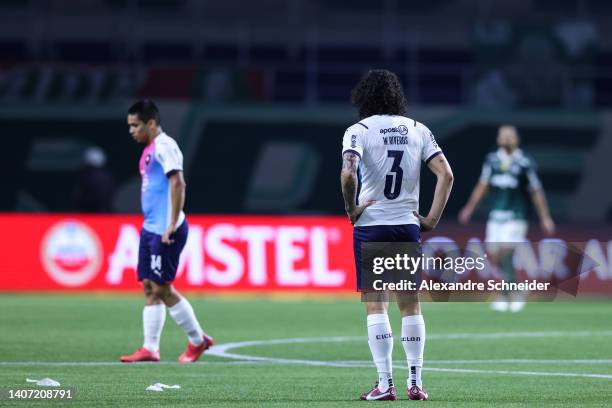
pixel 162 237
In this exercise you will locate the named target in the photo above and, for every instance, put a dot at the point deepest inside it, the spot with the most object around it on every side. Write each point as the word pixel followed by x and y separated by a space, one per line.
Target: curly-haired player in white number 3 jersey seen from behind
pixel 382 156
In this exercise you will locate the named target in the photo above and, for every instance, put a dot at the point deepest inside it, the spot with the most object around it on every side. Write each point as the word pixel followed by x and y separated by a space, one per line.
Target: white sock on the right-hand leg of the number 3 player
pixel 413 340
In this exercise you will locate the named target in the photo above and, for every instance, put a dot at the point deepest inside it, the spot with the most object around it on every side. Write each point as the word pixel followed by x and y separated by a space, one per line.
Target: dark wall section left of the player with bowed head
pixel 44 157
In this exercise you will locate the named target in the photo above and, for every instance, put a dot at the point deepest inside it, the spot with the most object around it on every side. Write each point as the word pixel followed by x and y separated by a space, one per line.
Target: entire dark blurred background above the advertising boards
pixel 257 93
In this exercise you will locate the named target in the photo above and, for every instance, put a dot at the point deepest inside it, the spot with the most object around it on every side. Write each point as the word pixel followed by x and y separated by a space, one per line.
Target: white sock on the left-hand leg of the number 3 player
pixel 380 339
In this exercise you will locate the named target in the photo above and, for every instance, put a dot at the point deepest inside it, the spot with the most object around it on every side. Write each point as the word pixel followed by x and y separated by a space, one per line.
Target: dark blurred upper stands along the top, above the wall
pixel 495 55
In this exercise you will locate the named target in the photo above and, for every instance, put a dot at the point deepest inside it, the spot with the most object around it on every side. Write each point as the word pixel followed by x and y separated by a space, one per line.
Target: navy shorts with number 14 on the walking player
pixel 158 261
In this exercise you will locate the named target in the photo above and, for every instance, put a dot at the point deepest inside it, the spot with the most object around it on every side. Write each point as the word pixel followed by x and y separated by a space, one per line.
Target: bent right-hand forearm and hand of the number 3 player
pixel 440 167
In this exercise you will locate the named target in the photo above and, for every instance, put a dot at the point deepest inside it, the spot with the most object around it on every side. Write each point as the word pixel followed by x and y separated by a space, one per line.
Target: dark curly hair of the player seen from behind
pixel 379 92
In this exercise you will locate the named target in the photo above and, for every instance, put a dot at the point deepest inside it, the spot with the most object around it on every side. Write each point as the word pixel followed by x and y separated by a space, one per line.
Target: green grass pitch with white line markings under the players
pixel 551 354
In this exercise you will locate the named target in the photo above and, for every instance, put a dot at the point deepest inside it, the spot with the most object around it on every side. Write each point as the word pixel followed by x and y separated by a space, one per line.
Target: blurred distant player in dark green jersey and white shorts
pixel 508 176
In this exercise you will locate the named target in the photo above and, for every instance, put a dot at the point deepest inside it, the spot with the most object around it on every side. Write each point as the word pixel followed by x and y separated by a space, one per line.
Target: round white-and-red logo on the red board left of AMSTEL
pixel 70 253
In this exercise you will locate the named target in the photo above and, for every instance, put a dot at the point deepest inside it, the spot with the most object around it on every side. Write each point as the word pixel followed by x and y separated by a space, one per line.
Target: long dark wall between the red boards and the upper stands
pixel 264 166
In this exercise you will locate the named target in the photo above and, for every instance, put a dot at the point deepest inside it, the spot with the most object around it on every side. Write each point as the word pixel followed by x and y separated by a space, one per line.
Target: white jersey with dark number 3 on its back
pixel 391 149
